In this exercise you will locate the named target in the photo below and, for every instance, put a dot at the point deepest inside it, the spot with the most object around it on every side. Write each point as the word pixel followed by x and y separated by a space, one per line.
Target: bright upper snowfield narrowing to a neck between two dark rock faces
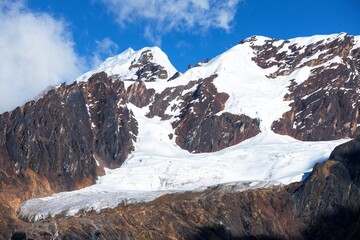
pixel 251 93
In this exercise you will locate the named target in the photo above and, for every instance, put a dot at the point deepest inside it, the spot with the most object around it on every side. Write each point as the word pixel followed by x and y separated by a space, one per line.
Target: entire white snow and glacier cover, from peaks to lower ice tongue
pixel 255 87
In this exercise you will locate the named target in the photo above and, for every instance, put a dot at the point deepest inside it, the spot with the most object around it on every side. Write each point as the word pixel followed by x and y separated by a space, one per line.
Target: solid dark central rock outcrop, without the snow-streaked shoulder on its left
pixel 200 129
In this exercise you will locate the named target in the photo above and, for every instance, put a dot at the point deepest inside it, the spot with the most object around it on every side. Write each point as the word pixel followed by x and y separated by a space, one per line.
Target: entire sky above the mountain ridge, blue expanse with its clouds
pixel 46 42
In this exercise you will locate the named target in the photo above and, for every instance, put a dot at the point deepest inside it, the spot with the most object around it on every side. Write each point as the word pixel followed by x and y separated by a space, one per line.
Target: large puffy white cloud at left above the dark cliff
pixel 36 51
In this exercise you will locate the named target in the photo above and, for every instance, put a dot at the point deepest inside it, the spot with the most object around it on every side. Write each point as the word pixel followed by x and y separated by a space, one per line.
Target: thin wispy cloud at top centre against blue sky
pixel 162 16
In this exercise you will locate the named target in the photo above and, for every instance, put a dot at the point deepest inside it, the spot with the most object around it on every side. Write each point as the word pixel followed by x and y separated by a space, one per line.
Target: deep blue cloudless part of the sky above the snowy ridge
pixel 92 21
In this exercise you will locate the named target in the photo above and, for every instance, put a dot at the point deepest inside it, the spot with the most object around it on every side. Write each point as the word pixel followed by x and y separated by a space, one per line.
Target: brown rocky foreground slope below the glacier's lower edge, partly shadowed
pixel 325 206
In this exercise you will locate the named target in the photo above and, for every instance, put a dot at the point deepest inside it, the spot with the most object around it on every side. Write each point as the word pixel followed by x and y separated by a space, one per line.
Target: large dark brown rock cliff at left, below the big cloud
pixel 62 135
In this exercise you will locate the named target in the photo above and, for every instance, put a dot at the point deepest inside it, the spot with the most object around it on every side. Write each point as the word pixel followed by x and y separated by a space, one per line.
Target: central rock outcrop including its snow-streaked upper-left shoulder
pixel 195 108
